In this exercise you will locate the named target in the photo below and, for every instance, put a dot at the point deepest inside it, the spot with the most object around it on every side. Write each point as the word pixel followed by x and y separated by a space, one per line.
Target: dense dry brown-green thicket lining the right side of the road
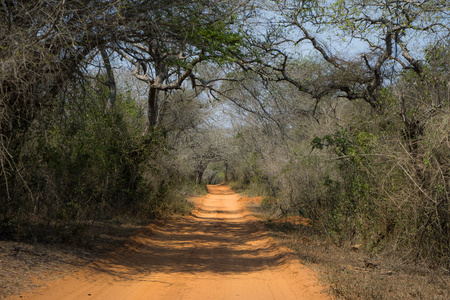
pixel 378 177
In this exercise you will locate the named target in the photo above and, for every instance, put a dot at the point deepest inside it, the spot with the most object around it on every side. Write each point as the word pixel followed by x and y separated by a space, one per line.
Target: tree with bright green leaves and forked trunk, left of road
pixel 177 38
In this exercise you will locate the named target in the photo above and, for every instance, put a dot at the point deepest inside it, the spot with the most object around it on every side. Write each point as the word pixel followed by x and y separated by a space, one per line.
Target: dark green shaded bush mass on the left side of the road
pixel 77 163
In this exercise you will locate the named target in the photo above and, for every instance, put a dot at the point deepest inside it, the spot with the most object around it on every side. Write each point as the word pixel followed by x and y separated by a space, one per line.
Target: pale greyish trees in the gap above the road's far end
pixel 197 140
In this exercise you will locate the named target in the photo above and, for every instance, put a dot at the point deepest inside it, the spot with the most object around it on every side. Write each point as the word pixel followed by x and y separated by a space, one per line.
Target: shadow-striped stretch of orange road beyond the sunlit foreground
pixel 212 242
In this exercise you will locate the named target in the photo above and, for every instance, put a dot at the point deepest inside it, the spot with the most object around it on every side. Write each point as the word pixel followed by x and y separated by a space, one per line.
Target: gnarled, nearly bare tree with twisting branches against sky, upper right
pixel 384 32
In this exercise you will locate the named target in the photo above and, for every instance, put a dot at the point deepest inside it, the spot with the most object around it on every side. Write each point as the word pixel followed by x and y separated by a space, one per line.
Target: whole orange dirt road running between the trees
pixel 221 252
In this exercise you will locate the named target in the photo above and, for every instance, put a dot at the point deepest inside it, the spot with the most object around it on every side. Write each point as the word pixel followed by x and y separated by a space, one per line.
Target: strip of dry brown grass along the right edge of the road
pixel 352 273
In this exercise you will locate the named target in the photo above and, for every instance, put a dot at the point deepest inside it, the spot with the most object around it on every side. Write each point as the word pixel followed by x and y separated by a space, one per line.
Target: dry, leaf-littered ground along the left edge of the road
pixel 28 265
